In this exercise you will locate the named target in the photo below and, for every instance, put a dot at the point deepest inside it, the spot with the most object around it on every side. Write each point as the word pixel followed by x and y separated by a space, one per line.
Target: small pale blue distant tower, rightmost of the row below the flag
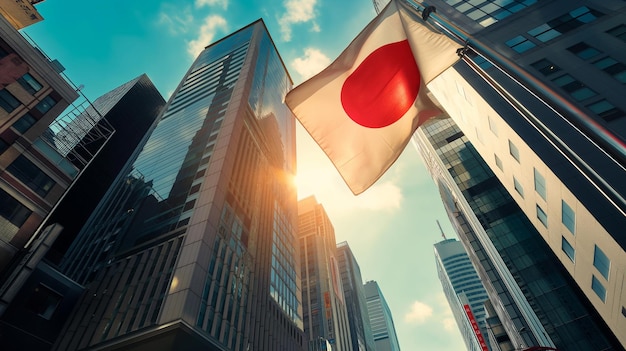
pixel 381 319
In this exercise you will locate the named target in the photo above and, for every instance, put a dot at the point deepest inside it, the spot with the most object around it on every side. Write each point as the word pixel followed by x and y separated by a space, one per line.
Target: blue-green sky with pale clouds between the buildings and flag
pixel 391 228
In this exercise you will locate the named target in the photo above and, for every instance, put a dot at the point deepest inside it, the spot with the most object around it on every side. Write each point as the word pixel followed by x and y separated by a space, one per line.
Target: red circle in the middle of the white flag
pixel 384 86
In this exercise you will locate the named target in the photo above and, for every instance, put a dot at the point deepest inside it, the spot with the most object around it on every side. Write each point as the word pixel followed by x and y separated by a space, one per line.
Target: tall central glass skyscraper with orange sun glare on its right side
pixel 195 247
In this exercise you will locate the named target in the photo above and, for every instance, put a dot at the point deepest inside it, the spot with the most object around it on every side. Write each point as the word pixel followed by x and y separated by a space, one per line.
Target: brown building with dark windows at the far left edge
pixel 34 174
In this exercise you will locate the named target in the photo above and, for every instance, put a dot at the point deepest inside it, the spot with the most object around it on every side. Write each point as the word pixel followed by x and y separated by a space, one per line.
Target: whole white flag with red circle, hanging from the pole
pixel 363 108
